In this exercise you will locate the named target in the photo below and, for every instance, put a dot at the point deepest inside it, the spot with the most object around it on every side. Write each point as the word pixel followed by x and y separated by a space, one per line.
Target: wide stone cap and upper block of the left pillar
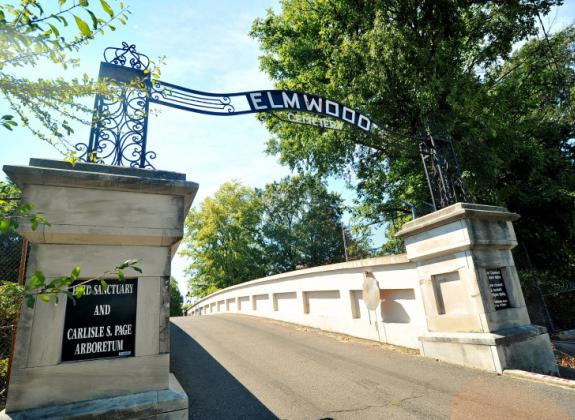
pixel 90 203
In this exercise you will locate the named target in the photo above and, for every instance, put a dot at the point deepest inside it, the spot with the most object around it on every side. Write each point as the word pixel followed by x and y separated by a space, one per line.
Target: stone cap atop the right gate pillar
pixel 459 227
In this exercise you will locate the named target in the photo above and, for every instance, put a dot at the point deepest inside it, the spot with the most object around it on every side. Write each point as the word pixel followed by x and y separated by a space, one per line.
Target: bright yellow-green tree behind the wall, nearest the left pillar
pixel 223 241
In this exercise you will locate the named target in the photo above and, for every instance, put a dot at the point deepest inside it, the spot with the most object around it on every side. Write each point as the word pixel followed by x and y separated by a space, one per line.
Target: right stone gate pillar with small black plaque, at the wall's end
pixel 476 314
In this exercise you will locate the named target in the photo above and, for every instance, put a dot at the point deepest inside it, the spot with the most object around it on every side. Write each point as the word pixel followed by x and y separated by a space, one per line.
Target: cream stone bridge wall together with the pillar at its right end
pixel 455 295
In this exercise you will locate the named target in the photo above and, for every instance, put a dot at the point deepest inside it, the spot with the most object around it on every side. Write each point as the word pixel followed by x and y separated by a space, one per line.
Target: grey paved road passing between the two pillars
pixel 235 366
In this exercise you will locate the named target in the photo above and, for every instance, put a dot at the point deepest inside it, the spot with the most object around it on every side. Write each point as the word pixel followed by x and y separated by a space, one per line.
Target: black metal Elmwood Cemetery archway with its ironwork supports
pixel 120 123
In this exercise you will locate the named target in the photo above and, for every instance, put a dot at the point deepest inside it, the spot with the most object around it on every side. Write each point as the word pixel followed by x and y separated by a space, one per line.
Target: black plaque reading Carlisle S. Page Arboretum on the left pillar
pixel 102 322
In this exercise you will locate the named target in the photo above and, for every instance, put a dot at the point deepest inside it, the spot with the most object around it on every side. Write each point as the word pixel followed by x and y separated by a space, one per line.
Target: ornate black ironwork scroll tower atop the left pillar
pixel 120 120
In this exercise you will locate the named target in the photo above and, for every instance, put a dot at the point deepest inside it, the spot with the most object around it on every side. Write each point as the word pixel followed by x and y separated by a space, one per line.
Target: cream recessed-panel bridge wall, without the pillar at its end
pixel 330 298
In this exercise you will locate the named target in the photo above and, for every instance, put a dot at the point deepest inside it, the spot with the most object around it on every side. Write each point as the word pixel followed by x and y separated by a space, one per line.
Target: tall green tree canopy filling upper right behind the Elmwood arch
pixel 446 67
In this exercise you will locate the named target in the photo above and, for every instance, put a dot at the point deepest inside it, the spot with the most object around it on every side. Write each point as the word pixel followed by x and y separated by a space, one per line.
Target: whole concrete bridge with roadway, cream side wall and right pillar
pixel 346 340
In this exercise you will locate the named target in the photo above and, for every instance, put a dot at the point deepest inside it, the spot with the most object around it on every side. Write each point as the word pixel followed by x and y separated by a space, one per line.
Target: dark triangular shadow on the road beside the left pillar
pixel 212 391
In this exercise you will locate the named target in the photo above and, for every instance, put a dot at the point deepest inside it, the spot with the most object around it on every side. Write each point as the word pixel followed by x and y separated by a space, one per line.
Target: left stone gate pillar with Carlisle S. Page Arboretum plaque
pixel 99 217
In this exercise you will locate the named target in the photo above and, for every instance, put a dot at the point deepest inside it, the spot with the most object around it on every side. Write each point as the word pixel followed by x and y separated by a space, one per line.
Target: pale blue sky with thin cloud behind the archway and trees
pixel 207 47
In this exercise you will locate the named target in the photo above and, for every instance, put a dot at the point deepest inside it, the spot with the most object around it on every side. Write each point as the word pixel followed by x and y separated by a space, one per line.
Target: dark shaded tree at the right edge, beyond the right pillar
pixel 538 178
